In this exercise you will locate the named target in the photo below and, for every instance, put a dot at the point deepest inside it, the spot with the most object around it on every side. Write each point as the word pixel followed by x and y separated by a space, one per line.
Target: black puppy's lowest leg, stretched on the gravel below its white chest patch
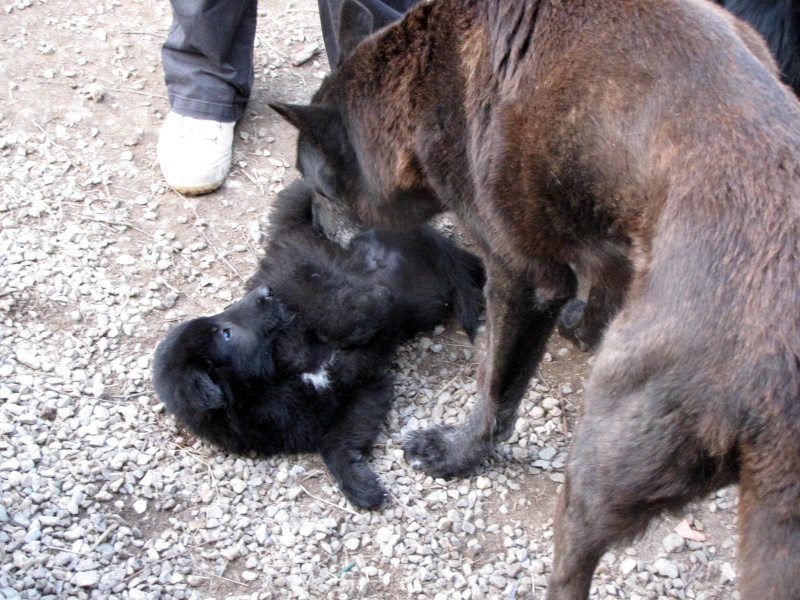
pixel 344 445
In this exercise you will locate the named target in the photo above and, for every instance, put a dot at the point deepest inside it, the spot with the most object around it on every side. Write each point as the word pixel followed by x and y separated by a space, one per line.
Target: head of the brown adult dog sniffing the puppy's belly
pixel 354 147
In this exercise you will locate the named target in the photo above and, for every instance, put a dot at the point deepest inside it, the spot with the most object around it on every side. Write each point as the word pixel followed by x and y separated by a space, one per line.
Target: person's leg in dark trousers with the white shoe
pixel 208 67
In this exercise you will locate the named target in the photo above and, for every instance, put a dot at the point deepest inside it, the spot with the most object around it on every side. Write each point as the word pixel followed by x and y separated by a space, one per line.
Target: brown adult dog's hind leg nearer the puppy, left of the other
pixel 635 454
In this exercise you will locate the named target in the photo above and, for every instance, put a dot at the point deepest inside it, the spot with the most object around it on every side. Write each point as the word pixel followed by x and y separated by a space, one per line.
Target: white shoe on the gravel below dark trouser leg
pixel 194 154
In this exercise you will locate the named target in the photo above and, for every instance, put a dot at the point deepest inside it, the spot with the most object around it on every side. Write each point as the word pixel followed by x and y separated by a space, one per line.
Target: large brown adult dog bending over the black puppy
pixel 650 144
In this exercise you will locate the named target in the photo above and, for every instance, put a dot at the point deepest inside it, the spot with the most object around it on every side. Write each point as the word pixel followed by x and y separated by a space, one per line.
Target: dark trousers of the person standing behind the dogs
pixel 208 54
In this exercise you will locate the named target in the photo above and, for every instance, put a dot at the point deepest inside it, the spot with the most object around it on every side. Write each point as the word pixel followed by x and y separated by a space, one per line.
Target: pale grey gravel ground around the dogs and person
pixel 103 496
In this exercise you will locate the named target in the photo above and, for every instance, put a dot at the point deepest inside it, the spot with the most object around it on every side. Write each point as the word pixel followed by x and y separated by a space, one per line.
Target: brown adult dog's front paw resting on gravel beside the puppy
pixel 442 452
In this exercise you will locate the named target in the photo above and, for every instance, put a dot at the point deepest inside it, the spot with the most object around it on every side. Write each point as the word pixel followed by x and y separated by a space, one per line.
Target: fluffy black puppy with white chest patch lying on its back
pixel 301 363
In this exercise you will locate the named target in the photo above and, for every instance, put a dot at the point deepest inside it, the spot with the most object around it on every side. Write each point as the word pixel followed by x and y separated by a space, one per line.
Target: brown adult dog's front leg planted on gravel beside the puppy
pixel 522 308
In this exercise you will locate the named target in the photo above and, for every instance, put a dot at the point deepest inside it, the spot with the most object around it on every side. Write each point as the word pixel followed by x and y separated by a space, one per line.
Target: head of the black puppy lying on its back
pixel 202 362
